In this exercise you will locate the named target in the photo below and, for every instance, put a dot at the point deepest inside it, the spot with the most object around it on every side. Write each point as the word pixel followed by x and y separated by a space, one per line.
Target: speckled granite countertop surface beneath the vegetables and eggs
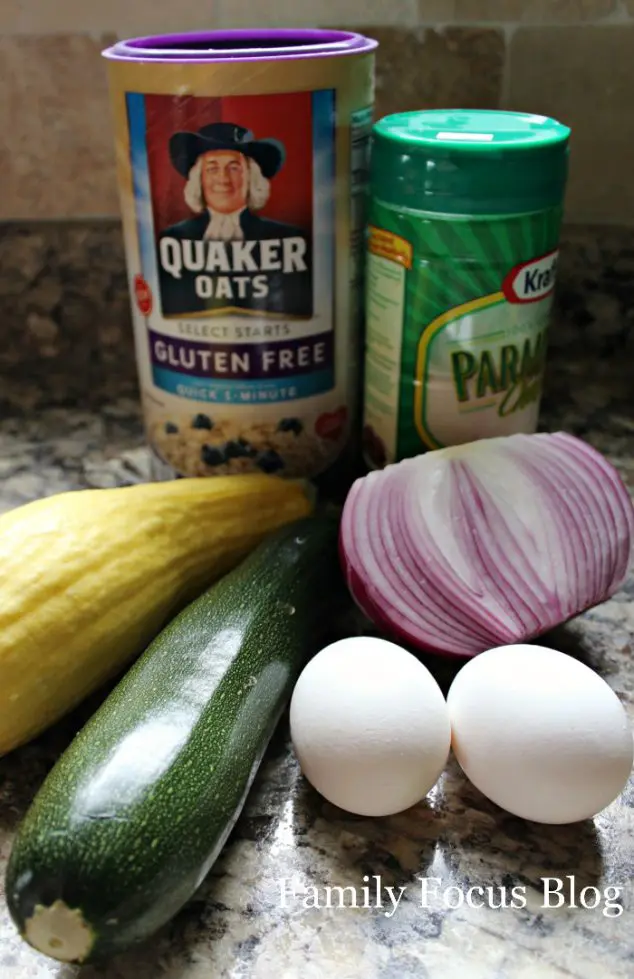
pixel 236 926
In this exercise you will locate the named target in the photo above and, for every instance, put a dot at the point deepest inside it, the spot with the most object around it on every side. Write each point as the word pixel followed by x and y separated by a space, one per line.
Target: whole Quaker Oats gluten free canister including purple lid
pixel 243 172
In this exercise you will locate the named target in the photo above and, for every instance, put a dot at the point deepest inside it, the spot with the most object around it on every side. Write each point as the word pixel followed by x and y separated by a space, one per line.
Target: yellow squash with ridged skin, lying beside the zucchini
pixel 88 578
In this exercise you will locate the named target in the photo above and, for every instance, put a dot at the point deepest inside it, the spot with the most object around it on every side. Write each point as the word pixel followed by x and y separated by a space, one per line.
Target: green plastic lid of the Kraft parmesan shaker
pixel 474 161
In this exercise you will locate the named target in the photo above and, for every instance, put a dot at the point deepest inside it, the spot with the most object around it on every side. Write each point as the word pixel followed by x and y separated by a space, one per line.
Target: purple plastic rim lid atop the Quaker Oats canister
pixel 240 45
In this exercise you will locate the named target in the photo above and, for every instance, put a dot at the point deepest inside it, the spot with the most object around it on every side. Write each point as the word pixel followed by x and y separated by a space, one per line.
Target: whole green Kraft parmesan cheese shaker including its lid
pixel 462 243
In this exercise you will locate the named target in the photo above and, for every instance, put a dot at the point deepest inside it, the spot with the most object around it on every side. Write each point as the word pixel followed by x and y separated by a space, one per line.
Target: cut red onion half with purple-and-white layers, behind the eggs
pixel 487 544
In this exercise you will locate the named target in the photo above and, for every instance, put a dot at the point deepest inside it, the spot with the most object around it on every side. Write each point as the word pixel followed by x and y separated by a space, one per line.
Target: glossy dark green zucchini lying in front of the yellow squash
pixel 133 815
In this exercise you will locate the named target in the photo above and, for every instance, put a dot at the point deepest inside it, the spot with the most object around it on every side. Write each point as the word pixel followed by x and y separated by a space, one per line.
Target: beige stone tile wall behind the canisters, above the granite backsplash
pixel 573 59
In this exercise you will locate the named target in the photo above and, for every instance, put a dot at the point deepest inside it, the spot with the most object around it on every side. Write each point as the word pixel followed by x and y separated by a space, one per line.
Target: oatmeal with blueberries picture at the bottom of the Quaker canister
pixel 201 445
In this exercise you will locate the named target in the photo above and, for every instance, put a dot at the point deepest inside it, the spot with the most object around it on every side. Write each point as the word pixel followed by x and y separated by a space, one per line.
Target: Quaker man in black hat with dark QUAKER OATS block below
pixel 227 255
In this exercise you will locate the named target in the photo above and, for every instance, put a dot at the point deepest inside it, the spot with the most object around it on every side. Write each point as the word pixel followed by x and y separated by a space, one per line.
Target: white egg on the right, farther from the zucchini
pixel 539 733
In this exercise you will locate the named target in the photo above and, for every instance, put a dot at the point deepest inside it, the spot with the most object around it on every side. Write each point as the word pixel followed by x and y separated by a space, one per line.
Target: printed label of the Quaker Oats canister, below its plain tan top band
pixel 243 346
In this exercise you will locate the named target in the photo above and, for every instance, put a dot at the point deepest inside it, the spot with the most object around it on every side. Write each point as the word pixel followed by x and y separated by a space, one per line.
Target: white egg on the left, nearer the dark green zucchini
pixel 369 726
